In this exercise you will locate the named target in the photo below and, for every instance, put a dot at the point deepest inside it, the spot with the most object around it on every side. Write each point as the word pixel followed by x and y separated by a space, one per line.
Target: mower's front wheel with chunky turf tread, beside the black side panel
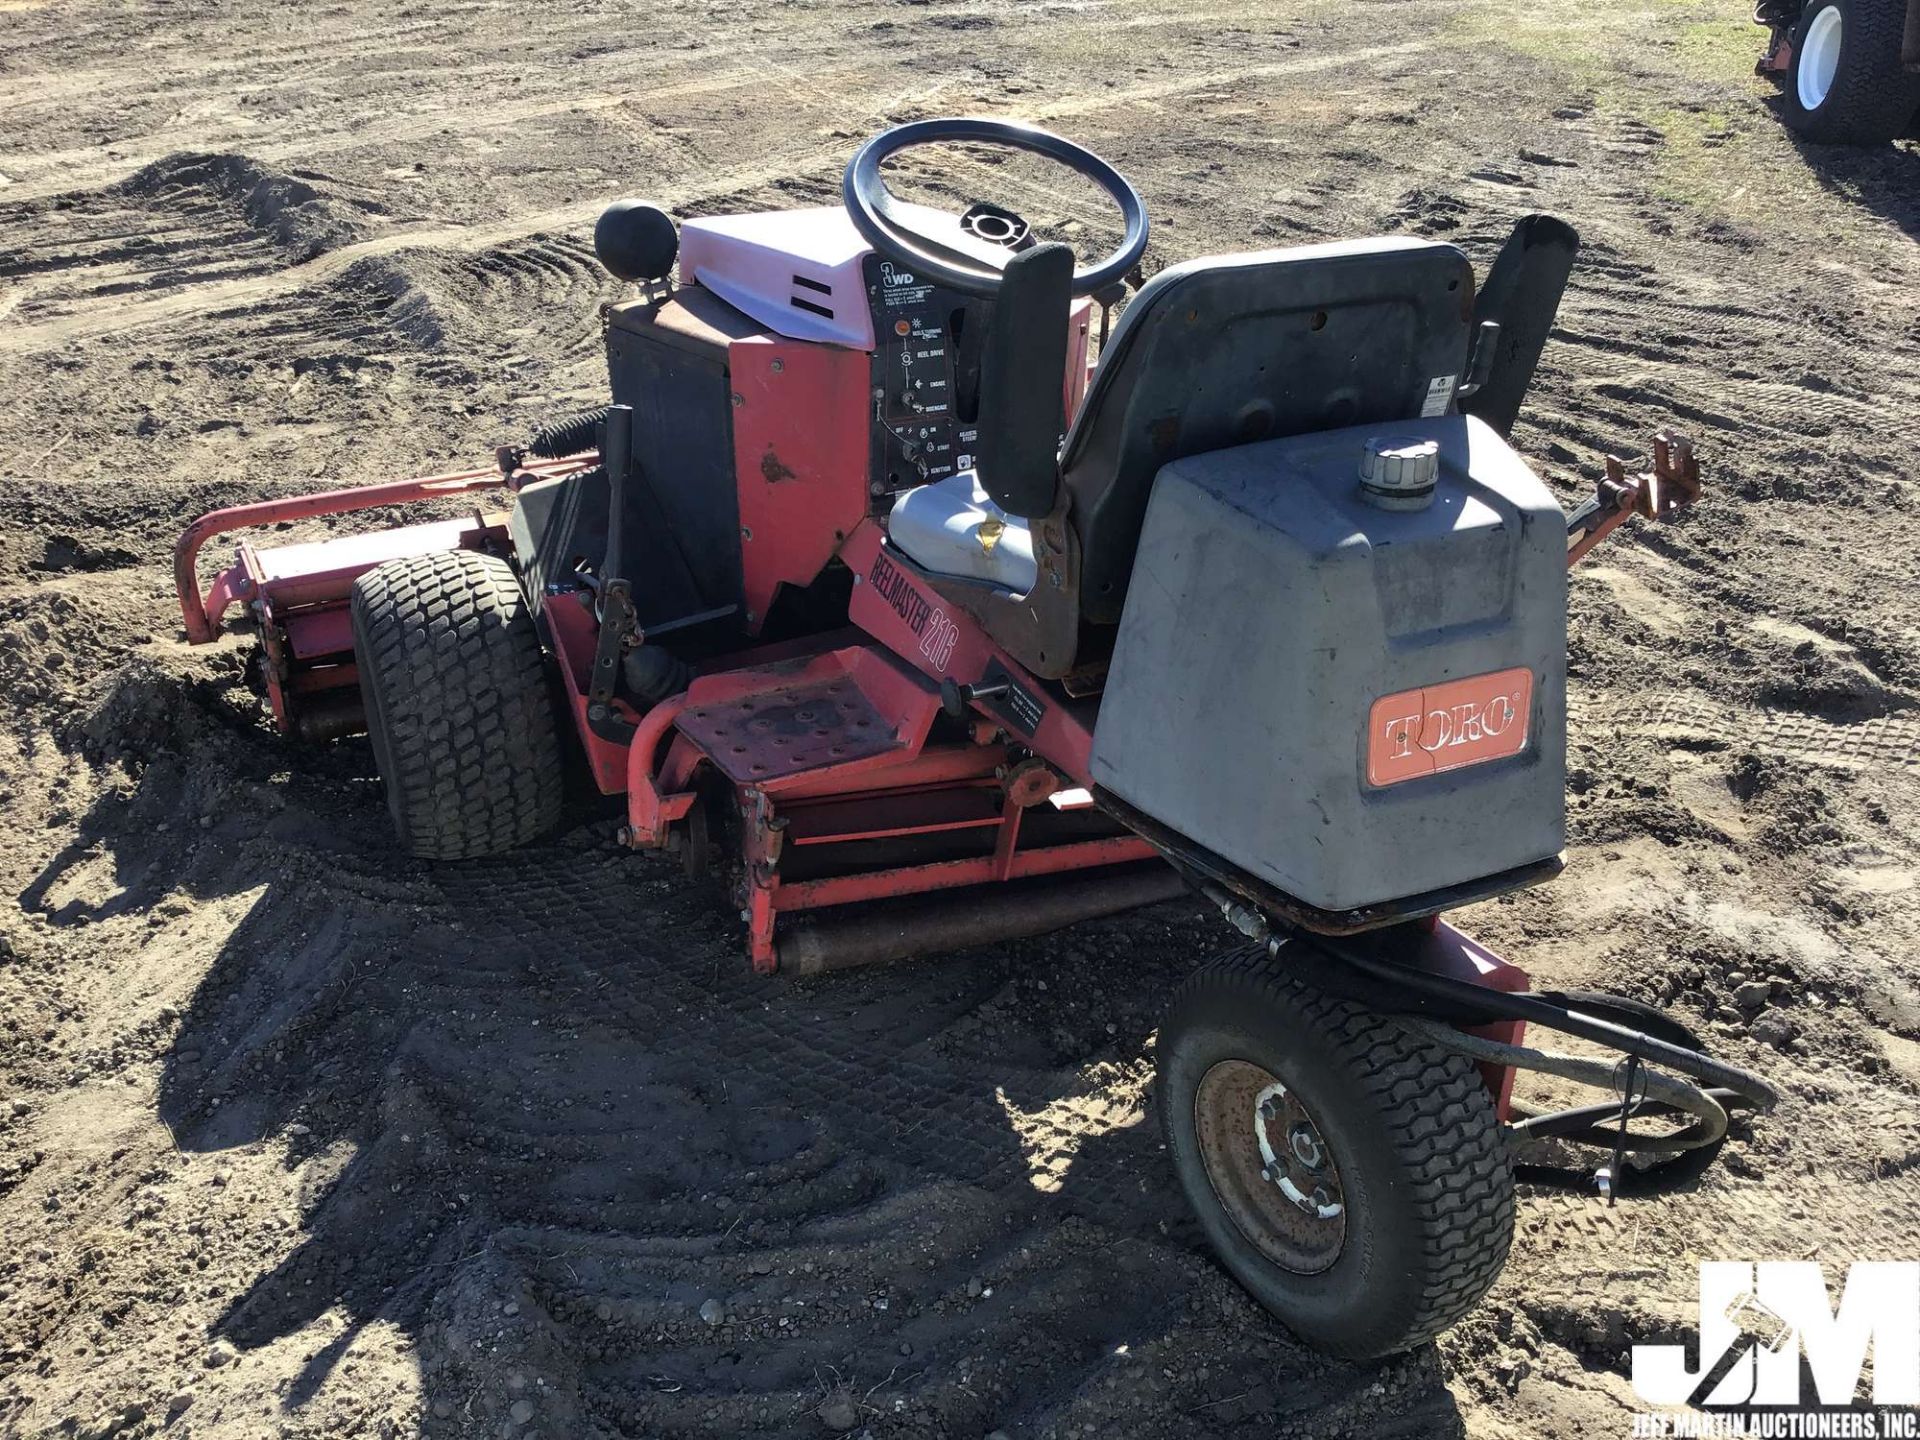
pixel 458 706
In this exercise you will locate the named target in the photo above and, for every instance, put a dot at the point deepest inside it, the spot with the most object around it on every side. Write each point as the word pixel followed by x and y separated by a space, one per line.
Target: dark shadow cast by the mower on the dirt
pixel 569 1118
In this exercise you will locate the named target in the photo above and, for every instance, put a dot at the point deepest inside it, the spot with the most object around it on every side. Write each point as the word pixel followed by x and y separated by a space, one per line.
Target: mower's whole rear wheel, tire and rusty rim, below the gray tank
pixel 1351 1174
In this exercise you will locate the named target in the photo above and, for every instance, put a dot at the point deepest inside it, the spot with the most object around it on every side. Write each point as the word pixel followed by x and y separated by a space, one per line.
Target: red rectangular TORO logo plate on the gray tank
pixel 1422 732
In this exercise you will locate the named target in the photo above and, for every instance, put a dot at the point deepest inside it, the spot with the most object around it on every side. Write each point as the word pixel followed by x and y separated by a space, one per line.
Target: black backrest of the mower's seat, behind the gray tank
pixel 1239 348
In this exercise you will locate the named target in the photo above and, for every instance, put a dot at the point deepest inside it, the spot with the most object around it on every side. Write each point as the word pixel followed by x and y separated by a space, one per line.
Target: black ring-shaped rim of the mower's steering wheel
pixel 957 260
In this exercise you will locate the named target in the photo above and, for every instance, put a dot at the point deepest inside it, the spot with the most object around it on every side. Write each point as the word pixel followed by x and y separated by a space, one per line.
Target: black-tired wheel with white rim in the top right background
pixel 1848 85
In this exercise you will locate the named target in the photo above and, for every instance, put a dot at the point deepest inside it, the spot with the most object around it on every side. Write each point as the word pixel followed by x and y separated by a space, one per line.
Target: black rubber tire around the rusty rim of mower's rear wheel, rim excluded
pixel 1422 1157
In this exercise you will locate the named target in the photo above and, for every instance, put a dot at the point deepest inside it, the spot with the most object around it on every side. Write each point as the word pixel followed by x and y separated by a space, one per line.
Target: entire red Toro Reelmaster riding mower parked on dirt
pixel 875 592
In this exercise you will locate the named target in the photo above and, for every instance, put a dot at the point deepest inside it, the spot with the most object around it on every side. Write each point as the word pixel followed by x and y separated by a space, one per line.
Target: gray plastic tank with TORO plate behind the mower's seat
pixel 1351 702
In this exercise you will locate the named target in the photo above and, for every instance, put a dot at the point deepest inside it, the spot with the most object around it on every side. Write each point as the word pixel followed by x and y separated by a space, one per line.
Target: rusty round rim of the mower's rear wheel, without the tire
pixel 1270 1166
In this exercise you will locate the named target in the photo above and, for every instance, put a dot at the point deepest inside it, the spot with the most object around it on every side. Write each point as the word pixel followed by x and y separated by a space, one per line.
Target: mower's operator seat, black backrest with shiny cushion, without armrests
pixel 1211 354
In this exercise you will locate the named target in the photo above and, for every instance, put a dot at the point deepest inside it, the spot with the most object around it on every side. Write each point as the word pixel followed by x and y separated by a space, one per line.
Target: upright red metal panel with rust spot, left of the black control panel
pixel 802 420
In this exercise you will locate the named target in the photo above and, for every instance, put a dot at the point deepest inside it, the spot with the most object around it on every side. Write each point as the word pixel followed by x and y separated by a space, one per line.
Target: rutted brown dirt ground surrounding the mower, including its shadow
pixel 302 1140
